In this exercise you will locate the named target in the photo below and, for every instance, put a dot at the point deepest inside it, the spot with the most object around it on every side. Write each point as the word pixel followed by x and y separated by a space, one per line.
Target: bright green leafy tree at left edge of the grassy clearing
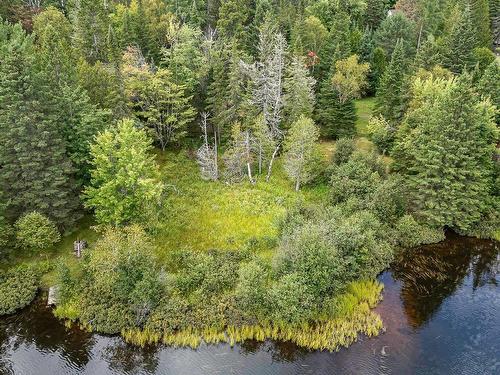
pixel 125 178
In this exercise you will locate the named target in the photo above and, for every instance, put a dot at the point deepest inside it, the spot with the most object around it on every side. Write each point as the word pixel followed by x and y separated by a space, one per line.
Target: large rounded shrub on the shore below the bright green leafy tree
pixel 120 284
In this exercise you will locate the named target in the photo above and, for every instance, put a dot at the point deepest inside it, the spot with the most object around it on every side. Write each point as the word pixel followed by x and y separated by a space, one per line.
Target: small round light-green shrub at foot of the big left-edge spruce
pixel 36 232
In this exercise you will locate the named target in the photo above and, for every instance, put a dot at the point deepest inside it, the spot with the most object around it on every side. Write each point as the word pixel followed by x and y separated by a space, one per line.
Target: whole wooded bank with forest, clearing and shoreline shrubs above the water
pixel 240 169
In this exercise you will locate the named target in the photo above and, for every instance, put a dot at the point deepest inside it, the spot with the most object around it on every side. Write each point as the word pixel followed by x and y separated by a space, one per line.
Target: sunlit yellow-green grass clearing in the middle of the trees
pixel 203 215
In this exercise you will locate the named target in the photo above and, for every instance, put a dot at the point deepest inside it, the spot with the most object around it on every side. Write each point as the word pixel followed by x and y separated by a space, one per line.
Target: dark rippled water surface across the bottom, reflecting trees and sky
pixel 441 310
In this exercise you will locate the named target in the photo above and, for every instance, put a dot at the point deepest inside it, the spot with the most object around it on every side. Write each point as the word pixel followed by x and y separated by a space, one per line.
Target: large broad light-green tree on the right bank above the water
pixel 445 149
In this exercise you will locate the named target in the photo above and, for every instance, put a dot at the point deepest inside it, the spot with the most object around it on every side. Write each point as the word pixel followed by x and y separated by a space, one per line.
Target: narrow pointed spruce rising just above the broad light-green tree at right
pixel 460 43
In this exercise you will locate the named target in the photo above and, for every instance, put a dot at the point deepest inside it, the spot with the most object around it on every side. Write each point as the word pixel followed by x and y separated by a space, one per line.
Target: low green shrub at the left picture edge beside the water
pixel 18 287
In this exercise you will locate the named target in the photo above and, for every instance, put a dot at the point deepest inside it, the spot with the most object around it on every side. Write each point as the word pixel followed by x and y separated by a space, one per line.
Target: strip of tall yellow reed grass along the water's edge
pixel 350 317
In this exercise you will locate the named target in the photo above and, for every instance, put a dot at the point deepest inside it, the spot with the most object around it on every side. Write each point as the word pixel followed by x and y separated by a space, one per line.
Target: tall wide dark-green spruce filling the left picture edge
pixel 36 172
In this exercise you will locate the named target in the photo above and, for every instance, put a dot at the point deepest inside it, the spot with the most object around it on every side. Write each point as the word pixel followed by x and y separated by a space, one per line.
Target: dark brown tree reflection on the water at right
pixel 429 274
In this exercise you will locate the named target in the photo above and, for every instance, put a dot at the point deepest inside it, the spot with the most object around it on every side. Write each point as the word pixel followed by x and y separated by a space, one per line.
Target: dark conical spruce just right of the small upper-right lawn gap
pixel 390 100
